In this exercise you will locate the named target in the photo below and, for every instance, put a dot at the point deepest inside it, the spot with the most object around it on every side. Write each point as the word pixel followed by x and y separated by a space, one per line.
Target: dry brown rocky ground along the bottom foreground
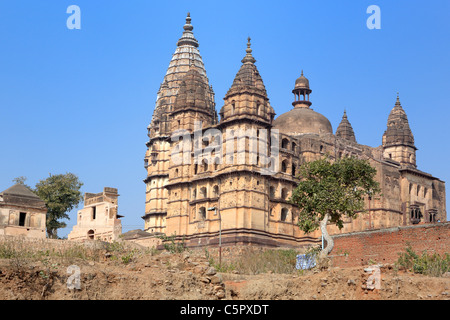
pixel 189 276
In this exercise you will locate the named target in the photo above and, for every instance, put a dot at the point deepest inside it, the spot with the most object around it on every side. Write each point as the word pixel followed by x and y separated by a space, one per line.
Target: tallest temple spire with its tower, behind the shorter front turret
pixel 186 57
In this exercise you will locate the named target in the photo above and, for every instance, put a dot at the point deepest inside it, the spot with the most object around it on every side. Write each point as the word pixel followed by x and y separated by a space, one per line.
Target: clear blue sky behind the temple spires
pixel 80 100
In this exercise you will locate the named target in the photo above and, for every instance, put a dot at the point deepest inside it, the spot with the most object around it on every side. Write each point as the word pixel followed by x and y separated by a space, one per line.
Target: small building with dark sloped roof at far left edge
pixel 22 213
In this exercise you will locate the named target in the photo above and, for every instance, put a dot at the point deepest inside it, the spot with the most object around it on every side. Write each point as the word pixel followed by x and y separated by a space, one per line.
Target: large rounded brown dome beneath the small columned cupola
pixel 302 121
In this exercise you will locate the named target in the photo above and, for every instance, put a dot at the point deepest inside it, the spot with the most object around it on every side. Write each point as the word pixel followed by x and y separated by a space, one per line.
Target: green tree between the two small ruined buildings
pixel 61 193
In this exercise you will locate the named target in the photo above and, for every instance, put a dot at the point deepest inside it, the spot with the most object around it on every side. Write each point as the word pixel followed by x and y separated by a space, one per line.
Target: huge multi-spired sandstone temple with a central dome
pixel 199 197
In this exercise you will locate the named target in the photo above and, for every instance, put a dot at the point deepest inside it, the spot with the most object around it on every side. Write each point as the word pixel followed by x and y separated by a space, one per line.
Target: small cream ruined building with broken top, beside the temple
pixel 99 219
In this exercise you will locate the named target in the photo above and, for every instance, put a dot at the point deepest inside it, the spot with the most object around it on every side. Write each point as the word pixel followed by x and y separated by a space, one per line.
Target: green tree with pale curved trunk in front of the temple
pixel 329 191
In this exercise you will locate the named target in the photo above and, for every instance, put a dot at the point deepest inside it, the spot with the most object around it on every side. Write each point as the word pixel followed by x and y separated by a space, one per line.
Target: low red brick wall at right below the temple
pixel 384 245
